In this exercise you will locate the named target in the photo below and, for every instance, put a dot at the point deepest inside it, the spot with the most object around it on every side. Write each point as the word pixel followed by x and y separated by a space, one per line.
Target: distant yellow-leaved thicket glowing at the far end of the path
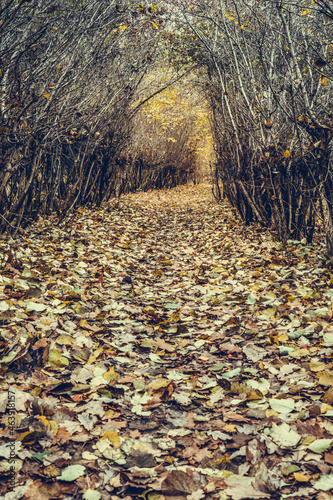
pixel 163 151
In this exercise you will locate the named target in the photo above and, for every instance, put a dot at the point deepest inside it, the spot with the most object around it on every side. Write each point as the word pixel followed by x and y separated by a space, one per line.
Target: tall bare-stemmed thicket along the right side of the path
pixel 266 68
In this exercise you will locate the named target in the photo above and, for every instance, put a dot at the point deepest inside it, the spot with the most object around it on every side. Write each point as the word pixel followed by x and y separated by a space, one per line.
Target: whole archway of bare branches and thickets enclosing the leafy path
pixel 103 97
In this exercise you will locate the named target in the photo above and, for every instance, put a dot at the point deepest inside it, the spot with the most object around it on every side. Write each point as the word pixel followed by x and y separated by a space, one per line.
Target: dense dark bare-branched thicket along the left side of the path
pixel 70 82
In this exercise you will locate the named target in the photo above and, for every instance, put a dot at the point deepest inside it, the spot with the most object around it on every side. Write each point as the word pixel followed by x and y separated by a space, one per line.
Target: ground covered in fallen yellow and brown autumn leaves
pixel 161 349
